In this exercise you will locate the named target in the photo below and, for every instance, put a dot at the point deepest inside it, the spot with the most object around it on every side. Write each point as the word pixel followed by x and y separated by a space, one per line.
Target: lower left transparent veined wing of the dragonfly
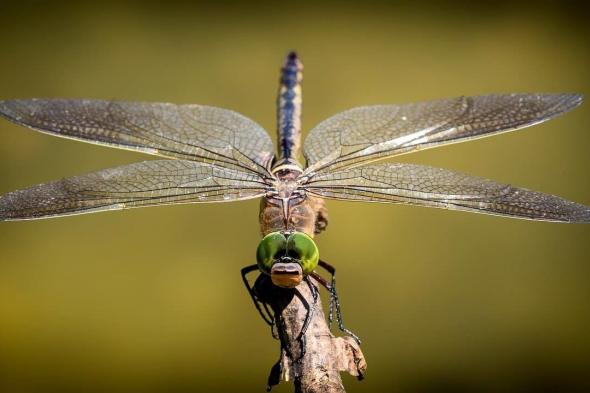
pixel 149 183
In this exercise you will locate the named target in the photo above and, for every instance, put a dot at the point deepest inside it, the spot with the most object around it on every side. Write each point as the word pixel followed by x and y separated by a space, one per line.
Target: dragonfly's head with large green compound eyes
pixel 287 257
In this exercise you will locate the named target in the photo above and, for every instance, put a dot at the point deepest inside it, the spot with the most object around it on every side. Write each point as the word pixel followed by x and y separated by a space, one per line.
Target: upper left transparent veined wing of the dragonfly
pixel 191 132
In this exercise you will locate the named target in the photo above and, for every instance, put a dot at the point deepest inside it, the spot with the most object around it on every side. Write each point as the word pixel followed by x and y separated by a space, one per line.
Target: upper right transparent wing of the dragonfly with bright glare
pixel 365 134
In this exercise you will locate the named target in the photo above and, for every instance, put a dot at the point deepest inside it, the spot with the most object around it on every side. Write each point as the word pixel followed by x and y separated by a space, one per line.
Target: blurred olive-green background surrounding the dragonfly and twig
pixel 150 300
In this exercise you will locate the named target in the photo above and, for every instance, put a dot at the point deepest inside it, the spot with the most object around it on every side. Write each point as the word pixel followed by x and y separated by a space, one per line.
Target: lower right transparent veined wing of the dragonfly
pixel 435 187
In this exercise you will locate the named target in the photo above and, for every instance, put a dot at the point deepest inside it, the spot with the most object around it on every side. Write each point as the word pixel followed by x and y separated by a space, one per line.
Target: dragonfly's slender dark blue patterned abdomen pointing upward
pixel 289 108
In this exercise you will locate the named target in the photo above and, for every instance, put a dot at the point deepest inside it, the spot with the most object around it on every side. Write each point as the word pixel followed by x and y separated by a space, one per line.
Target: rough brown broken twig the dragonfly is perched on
pixel 324 357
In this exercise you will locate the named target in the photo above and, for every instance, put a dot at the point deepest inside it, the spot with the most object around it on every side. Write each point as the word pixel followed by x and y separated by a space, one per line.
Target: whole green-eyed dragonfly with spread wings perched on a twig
pixel 217 155
